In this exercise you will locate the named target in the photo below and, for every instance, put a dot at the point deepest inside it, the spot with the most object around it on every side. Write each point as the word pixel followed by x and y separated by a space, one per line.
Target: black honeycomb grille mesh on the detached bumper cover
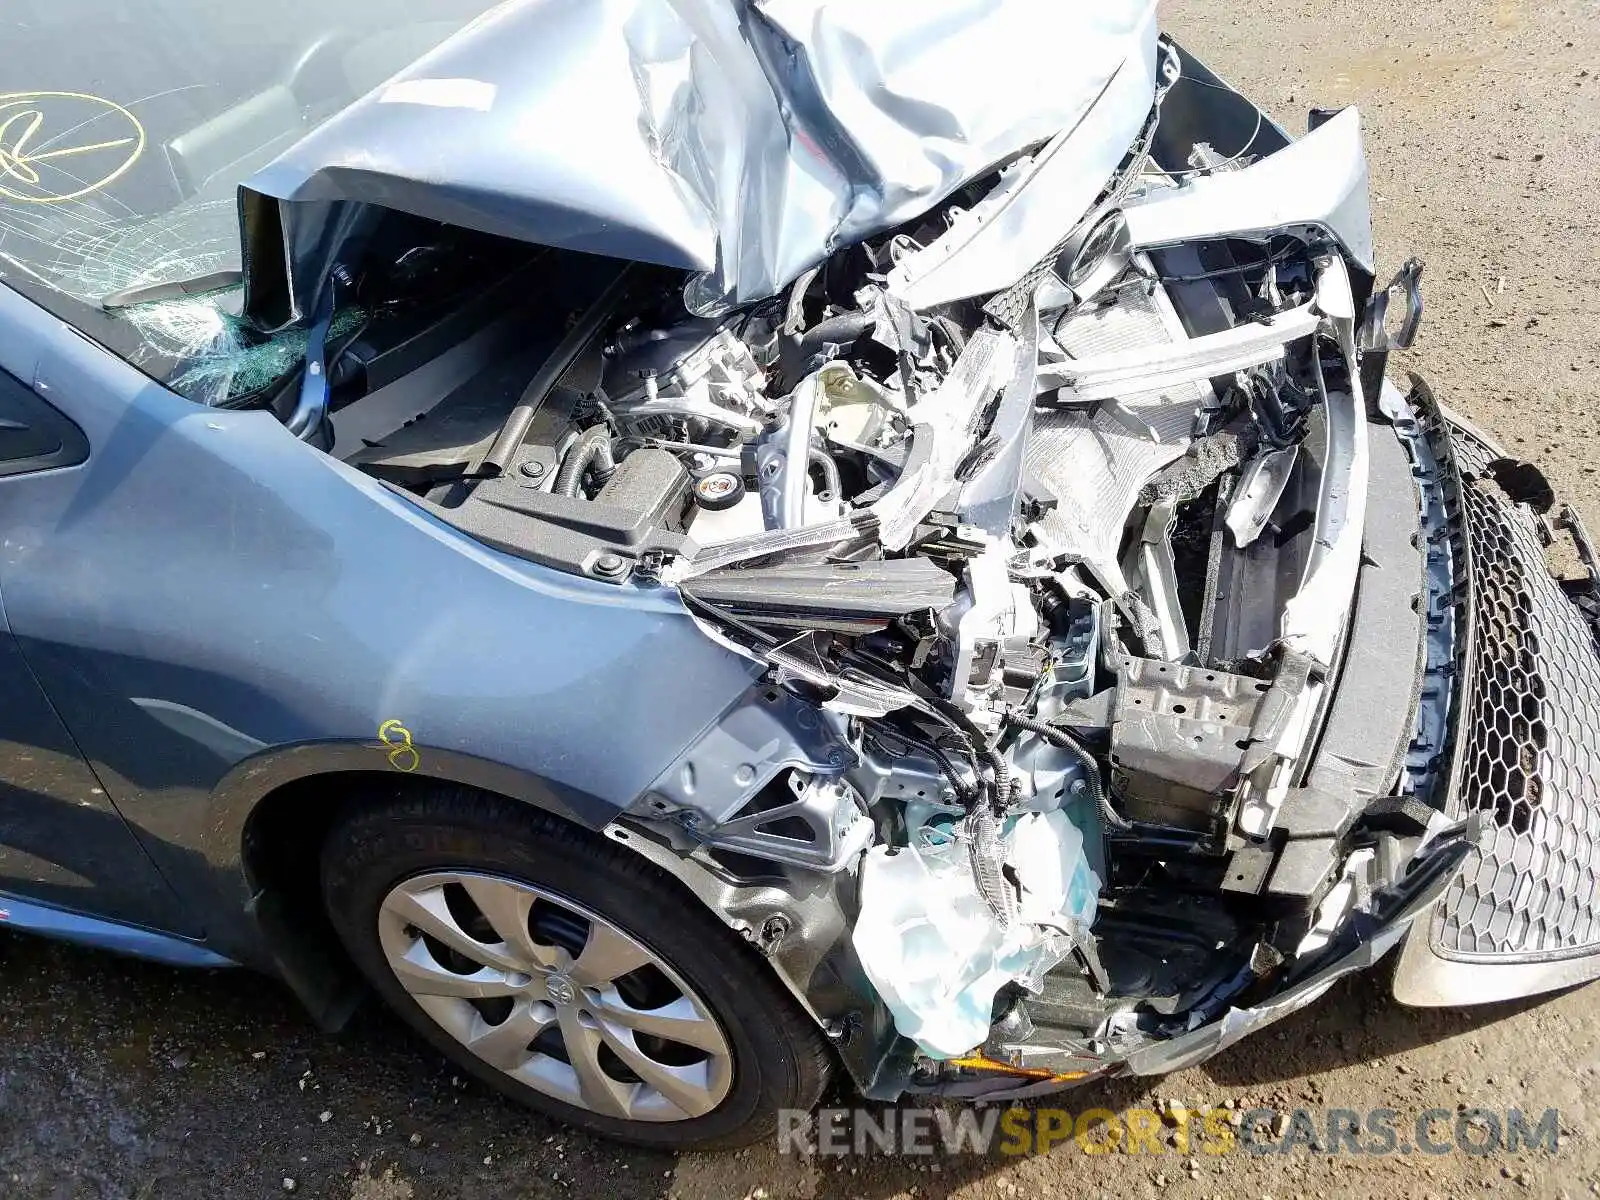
pixel 1530 746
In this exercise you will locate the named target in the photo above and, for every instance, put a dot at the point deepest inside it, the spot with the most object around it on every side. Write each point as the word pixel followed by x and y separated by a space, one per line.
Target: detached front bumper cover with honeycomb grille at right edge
pixel 1522 916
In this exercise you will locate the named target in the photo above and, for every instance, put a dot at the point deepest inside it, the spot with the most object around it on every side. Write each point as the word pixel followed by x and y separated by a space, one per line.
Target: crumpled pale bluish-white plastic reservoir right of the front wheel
pixel 935 951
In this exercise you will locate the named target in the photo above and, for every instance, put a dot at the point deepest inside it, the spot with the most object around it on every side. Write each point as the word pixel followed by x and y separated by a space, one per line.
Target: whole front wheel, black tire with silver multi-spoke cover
pixel 406 878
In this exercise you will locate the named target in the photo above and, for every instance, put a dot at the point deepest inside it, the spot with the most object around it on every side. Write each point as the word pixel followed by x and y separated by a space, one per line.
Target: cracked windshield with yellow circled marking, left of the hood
pixel 126 130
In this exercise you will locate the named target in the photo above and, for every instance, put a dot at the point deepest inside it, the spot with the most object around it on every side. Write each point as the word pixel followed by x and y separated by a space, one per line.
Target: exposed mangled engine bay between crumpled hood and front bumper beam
pixel 1047 590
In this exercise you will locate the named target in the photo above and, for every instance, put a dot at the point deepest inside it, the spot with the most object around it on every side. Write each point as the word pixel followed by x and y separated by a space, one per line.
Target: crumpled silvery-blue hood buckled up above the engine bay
pixel 738 140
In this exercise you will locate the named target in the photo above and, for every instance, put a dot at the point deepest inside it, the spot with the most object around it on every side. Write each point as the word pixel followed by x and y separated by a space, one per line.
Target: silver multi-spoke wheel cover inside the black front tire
pixel 556 996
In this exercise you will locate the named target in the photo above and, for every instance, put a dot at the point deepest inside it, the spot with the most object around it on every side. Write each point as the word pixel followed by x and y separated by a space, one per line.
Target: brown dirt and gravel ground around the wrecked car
pixel 1484 129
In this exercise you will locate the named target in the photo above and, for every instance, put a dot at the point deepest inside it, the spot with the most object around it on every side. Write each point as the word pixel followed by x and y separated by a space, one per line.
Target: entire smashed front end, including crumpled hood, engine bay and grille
pixel 1129 657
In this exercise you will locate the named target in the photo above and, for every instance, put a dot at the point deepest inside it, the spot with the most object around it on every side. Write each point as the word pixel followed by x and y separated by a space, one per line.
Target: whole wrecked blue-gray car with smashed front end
pixel 695 548
